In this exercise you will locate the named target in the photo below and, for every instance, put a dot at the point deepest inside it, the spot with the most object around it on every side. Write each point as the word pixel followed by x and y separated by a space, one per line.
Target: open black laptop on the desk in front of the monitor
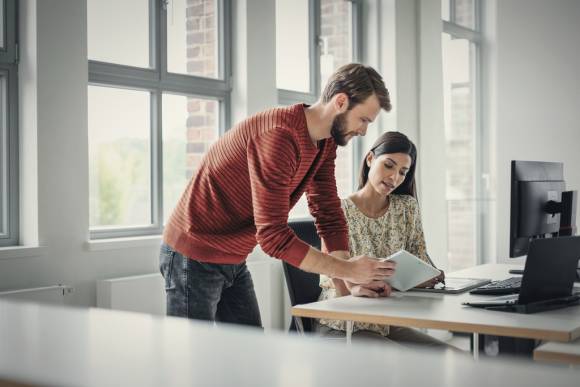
pixel 548 278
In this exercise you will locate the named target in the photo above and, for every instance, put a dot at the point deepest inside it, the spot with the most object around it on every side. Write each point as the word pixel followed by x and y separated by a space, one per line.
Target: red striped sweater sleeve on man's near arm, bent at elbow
pixel 272 161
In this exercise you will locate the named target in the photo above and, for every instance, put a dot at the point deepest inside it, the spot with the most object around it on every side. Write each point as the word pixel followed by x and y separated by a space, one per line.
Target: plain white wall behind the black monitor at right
pixel 538 94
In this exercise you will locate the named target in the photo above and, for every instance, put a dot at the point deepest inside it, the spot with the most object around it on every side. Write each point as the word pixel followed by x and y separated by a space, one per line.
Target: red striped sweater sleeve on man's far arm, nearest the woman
pixel 324 205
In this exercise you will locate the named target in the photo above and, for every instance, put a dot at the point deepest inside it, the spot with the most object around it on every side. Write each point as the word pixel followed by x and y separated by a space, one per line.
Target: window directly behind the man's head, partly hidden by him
pixel 313 39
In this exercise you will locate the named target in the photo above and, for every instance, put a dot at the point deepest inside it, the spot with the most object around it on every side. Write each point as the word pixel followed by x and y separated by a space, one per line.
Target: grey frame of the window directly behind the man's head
pixel 289 97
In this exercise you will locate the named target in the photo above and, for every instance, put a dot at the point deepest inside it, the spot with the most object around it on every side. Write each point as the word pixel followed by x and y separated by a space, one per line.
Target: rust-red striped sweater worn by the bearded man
pixel 247 183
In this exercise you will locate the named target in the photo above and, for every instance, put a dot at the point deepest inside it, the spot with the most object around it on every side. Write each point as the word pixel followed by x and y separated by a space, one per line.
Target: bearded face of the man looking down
pixel 354 122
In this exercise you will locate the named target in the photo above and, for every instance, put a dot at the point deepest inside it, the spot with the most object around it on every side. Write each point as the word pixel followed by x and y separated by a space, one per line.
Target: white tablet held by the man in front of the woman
pixel 410 271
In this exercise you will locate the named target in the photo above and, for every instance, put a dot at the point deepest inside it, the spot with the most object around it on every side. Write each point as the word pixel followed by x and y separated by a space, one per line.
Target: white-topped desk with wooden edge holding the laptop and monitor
pixel 444 311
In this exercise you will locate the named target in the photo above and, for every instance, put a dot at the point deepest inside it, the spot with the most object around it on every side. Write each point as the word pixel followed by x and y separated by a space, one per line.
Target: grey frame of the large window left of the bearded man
pixel 157 80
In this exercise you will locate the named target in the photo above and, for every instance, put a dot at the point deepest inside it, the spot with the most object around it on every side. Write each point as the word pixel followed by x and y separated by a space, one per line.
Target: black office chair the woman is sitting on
pixel 303 287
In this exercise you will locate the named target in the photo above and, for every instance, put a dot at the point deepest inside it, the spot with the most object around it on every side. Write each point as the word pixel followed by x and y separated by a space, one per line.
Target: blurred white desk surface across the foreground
pixel 43 345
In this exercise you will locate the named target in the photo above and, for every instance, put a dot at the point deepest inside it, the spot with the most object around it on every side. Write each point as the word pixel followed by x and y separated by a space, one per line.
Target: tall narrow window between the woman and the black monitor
pixel 463 132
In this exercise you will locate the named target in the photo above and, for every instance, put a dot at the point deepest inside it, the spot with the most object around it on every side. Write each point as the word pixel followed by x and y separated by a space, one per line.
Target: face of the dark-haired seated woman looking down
pixel 387 171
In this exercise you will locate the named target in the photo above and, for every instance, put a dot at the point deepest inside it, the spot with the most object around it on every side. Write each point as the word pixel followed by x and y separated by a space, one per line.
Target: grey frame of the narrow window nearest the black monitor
pixel 481 140
